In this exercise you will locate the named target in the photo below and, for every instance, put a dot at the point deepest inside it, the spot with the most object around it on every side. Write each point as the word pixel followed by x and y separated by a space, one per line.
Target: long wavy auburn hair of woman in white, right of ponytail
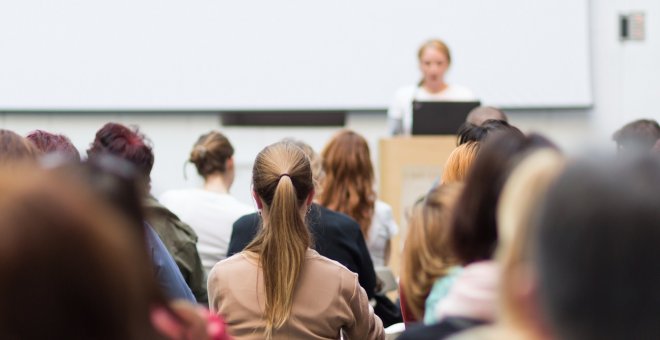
pixel 348 186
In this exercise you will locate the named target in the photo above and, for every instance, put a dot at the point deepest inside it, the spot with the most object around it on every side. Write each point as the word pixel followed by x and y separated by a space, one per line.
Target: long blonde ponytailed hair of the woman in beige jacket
pixel 282 178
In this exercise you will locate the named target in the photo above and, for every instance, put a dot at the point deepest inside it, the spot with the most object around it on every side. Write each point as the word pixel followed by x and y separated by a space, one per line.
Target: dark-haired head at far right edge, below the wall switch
pixel 637 137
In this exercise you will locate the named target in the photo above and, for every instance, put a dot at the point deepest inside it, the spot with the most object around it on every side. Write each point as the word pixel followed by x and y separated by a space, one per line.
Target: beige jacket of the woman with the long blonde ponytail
pixel 327 300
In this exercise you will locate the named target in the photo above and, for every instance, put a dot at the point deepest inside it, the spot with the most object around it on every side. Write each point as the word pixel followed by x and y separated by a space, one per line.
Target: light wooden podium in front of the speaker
pixel 408 168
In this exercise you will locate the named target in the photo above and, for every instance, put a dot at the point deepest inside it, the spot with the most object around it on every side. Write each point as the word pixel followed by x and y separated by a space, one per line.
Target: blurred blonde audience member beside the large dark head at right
pixel 526 187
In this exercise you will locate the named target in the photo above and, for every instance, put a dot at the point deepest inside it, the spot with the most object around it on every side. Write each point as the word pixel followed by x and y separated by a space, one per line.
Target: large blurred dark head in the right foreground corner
pixel 595 251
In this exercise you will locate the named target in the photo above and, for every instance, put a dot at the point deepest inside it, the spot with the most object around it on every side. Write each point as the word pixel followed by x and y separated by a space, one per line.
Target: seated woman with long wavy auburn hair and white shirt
pixel 348 188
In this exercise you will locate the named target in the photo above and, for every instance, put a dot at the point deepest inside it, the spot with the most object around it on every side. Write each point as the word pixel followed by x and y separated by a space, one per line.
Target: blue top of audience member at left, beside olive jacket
pixel 167 273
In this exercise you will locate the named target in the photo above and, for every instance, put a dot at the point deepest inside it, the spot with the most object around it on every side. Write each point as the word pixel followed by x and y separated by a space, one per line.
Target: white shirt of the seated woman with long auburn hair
pixel 383 228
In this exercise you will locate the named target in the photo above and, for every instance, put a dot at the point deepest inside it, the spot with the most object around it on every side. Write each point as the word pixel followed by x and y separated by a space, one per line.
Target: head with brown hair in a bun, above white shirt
pixel 213 154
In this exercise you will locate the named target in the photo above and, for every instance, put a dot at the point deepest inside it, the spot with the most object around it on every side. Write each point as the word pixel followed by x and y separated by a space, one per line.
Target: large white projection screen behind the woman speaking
pixel 285 54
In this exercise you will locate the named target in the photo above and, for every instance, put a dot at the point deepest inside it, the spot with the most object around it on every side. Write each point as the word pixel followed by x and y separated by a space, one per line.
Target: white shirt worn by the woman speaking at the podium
pixel 400 112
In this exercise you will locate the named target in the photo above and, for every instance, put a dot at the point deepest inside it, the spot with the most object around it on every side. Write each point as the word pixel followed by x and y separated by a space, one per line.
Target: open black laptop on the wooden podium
pixel 440 118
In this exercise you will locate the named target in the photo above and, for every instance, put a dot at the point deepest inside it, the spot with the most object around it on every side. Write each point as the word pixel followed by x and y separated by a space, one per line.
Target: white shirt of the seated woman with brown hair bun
pixel 211 215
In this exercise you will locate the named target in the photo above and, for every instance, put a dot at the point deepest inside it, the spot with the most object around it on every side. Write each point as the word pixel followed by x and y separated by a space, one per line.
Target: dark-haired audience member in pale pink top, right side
pixel 473 231
